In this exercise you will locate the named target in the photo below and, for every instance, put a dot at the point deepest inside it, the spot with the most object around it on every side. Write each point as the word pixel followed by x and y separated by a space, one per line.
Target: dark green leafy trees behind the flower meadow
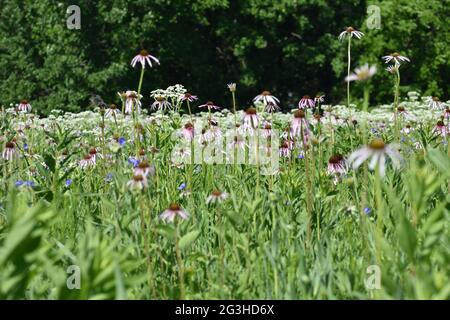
pixel 289 47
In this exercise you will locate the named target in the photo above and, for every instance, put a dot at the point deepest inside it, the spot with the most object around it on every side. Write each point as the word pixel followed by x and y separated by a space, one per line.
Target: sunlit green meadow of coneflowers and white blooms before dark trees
pixel 184 198
